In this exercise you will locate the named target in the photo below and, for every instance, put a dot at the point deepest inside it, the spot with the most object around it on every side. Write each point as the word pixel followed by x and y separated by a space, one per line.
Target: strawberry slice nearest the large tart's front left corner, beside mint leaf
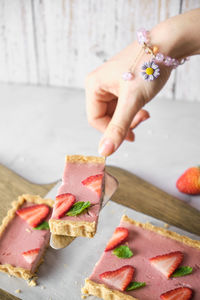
pixel 119 278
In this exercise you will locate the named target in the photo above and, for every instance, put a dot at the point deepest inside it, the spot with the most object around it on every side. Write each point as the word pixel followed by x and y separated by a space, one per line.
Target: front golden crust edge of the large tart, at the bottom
pixel 103 292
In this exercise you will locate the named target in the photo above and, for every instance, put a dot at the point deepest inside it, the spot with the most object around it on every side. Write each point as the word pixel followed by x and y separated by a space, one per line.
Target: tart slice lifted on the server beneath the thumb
pixel 79 199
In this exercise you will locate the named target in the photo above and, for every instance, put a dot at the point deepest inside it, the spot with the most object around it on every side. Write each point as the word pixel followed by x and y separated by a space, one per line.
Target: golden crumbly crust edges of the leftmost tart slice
pixel 7 268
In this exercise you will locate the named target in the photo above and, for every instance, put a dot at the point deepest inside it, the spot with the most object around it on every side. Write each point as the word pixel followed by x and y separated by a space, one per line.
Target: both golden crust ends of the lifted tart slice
pixel 76 228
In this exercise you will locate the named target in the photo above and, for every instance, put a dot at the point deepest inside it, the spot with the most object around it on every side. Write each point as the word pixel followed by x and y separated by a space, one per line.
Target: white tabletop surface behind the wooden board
pixel 38 126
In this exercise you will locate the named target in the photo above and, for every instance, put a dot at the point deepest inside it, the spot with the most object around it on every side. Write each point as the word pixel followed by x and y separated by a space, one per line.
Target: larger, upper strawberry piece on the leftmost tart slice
pixel 34 214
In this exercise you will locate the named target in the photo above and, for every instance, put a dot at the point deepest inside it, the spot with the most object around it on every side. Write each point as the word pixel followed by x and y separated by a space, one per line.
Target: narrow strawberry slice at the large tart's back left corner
pixel 119 236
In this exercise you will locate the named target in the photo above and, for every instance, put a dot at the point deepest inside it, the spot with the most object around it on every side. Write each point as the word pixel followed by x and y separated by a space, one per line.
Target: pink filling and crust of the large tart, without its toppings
pixel 146 241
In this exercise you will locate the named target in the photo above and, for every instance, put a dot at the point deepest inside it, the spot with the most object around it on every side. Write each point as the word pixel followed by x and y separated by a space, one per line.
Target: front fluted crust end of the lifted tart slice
pixel 72 228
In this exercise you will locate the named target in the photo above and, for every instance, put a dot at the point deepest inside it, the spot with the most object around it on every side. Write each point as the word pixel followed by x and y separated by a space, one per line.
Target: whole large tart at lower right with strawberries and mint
pixel 164 264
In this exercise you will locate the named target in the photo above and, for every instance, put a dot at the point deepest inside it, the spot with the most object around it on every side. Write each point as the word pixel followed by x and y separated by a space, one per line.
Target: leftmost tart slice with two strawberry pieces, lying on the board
pixel 24 236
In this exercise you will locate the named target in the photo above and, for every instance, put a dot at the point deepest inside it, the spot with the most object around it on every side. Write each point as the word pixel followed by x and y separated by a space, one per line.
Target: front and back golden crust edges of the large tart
pixel 102 291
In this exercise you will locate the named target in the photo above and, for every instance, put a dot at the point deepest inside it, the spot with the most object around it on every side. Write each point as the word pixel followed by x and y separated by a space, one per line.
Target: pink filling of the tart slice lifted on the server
pixel 74 175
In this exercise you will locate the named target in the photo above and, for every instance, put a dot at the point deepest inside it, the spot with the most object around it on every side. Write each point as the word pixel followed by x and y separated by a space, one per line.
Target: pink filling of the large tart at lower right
pixel 144 245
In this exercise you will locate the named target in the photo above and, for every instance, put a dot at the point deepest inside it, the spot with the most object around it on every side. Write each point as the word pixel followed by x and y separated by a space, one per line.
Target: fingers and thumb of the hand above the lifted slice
pixel 115 117
